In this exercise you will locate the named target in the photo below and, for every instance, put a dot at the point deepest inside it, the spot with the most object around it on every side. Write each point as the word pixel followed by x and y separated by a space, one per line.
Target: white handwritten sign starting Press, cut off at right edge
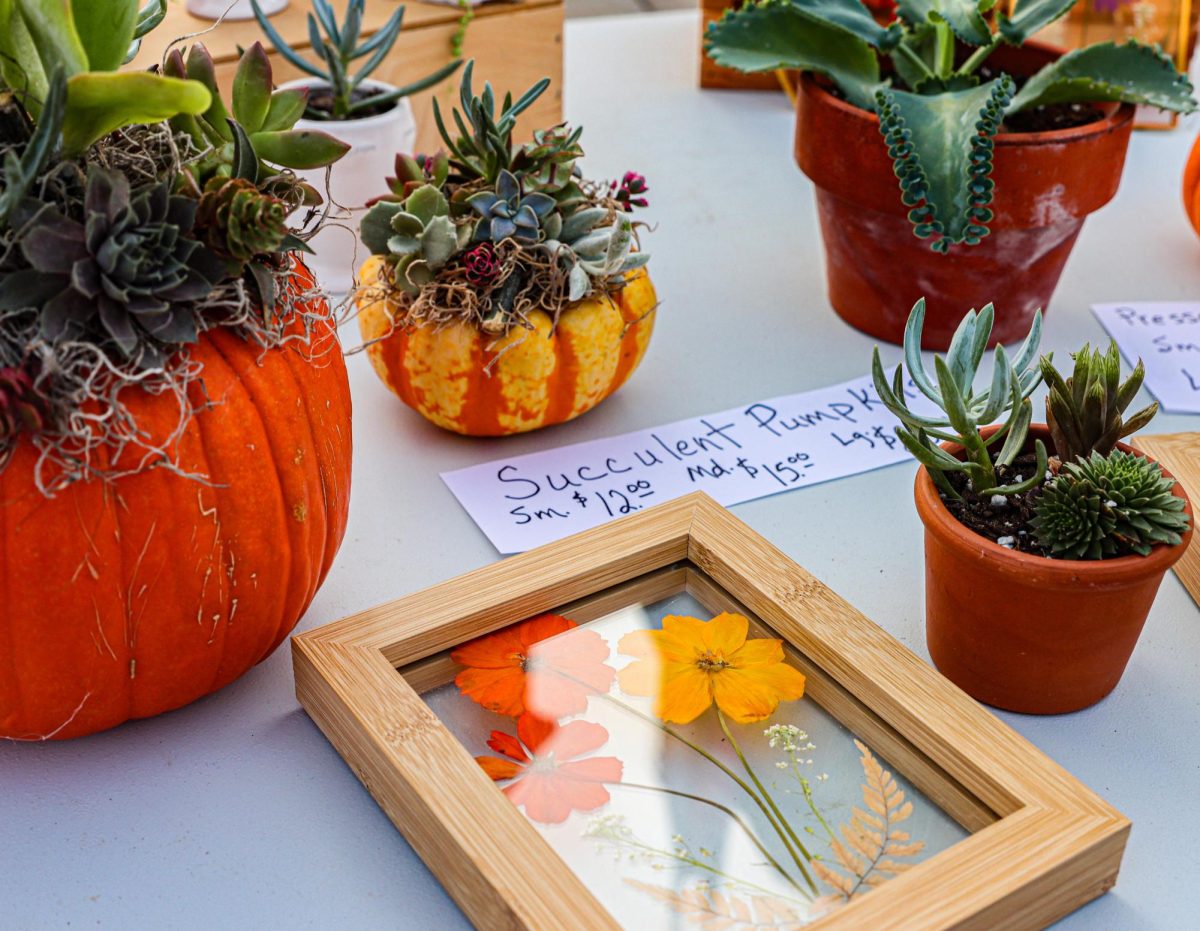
pixel 1167 338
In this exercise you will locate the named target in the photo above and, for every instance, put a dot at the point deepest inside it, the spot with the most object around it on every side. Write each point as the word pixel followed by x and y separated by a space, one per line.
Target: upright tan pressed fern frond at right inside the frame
pixel 871 845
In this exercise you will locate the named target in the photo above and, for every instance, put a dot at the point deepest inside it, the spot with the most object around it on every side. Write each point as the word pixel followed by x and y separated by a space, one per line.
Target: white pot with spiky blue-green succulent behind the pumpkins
pixel 374 118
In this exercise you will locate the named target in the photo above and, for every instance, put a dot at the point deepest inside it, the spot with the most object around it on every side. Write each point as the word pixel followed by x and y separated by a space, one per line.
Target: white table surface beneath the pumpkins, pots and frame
pixel 236 813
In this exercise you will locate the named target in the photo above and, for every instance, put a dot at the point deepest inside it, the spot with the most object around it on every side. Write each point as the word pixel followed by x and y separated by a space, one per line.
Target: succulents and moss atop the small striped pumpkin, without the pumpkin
pixel 491 229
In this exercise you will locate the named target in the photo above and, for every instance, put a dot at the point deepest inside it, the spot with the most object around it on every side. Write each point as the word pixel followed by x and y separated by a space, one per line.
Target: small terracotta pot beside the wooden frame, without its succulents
pixel 1025 633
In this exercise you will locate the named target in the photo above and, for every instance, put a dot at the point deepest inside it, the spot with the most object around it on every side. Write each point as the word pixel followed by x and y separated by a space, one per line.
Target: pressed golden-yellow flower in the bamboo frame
pixel 691 664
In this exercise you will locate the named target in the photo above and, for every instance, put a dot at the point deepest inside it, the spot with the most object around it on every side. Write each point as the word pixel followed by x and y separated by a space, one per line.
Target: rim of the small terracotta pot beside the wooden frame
pixel 939 520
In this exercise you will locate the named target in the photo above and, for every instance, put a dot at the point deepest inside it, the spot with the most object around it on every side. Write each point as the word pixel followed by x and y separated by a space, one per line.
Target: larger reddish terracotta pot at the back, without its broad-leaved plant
pixel 1047 184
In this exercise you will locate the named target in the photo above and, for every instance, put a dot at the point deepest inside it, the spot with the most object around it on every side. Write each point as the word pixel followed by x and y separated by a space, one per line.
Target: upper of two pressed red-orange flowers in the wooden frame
pixel 547 665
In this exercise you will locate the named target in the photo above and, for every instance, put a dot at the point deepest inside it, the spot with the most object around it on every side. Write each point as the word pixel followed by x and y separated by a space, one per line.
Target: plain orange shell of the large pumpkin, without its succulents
pixel 128 598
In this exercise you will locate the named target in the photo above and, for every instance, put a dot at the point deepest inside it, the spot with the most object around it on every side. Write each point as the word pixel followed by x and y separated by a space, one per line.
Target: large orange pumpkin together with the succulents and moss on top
pixel 175 412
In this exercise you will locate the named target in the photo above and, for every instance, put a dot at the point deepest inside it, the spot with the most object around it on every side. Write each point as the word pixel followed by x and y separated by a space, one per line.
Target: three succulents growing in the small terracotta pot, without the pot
pixel 1090 501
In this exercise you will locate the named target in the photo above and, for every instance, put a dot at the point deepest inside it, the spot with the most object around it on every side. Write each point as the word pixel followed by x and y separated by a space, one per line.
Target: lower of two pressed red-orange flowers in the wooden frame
pixel 548 779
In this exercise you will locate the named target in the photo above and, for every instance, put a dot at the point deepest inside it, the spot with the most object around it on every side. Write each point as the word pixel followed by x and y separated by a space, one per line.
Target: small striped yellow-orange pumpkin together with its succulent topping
pixel 505 292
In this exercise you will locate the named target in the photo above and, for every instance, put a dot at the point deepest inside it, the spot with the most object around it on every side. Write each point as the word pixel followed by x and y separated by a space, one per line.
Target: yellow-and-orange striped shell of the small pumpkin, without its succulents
pixel 485 386
